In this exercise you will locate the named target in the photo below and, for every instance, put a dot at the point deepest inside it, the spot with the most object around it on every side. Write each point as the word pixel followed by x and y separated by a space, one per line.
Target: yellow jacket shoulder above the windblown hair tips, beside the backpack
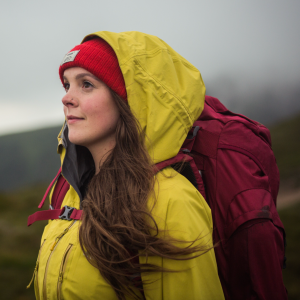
pixel 179 205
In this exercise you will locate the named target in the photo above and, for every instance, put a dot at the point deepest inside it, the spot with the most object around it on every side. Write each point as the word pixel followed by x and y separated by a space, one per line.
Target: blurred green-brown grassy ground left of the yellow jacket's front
pixel 19 244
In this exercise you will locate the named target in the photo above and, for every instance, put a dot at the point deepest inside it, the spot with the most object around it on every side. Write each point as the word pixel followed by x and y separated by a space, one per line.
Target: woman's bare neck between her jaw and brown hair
pixel 100 152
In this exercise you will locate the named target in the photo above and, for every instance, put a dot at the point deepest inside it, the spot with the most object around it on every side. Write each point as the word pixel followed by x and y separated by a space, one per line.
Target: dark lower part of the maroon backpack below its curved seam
pixel 256 261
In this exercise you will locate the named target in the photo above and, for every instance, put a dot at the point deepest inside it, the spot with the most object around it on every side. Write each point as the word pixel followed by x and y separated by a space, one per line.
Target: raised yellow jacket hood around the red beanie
pixel 164 91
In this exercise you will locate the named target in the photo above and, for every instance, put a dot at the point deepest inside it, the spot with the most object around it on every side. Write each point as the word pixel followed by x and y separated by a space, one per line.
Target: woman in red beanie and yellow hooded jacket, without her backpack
pixel 130 102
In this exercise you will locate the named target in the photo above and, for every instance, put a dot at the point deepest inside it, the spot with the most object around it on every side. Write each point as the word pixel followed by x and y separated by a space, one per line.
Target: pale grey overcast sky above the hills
pixel 248 41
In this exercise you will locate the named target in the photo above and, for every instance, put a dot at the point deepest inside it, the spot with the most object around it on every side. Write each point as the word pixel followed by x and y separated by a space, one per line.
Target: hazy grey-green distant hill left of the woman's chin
pixel 28 158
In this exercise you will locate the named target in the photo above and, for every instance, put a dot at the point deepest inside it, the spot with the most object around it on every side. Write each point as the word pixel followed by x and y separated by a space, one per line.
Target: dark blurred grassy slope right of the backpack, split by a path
pixel 286 146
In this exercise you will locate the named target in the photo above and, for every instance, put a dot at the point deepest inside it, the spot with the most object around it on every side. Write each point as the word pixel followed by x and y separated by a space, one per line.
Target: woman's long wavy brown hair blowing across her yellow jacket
pixel 116 222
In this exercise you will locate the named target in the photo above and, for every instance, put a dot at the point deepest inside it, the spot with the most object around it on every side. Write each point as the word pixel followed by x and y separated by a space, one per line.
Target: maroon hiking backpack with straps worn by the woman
pixel 229 159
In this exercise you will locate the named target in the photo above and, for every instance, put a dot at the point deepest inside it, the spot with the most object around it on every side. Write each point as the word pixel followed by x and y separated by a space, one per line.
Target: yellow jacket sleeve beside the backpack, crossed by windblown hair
pixel 187 218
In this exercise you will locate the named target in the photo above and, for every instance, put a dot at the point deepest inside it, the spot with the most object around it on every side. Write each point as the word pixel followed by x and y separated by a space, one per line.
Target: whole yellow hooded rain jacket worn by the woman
pixel 166 93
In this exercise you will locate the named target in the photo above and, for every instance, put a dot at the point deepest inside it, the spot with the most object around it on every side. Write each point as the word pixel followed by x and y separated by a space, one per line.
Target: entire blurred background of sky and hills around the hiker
pixel 246 51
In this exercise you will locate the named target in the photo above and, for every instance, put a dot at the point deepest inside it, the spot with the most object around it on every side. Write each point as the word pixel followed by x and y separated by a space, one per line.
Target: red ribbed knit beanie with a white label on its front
pixel 97 57
